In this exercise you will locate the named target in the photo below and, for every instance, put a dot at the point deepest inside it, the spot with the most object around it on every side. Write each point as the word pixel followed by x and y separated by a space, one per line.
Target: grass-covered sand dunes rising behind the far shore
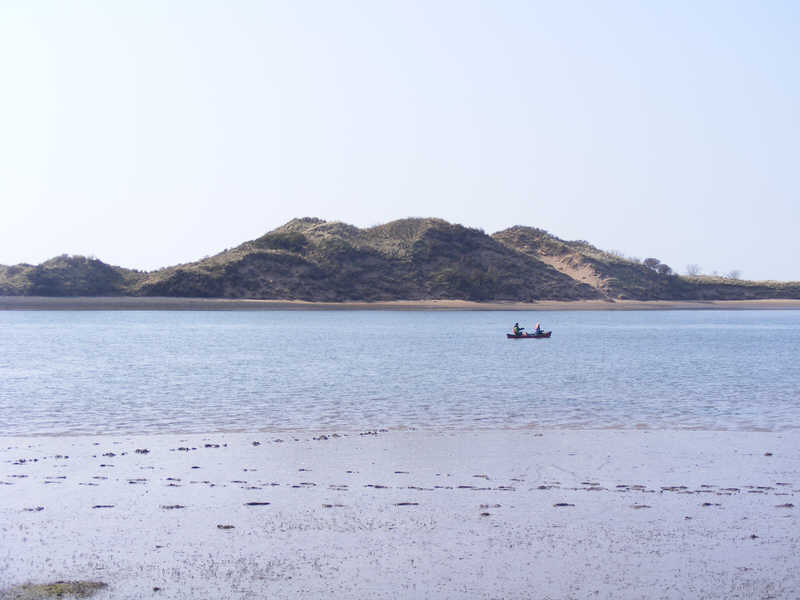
pixel 407 259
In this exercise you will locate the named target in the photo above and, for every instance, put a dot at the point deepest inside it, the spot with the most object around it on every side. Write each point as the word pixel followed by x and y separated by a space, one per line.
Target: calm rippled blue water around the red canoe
pixel 145 372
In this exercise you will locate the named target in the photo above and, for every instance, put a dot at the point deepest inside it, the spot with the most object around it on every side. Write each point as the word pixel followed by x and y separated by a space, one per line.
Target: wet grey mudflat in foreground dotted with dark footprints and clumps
pixel 404 514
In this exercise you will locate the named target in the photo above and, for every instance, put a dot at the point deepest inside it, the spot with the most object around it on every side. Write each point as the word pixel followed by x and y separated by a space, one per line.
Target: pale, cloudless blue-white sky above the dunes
pixel 151 133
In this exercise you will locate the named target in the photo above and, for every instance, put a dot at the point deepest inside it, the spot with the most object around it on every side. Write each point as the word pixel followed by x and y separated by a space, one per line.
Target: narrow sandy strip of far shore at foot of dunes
pixel 138 303
